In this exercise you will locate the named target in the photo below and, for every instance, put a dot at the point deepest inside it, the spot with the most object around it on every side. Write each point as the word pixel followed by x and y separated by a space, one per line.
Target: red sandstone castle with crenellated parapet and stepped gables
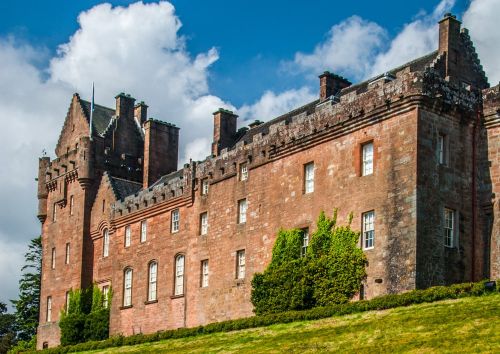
pixel 414 153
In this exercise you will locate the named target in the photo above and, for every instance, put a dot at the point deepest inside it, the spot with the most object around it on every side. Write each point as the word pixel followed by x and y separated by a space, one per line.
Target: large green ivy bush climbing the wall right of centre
pixel 331 272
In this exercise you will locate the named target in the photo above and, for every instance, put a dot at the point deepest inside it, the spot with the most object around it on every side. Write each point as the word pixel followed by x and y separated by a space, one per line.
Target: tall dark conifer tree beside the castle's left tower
pixel 28 304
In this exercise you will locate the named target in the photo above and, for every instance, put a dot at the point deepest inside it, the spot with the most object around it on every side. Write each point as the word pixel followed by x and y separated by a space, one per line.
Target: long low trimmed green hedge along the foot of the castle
pixel 379 303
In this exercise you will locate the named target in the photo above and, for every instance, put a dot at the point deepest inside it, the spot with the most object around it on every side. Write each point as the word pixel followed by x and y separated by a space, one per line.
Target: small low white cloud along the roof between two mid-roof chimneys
pixel 271 105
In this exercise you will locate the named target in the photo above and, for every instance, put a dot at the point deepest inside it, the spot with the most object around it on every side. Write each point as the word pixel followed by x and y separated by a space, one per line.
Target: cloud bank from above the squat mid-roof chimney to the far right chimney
pixel 360 49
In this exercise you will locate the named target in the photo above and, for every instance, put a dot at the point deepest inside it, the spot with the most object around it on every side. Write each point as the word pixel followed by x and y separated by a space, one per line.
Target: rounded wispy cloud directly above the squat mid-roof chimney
pixel 348 48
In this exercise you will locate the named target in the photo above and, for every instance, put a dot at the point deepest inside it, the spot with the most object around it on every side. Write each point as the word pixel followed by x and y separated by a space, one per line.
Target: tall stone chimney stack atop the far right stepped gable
pixel 449 43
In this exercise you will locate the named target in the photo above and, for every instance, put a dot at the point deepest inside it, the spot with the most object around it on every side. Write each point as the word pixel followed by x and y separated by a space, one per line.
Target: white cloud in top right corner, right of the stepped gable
pixel 481 18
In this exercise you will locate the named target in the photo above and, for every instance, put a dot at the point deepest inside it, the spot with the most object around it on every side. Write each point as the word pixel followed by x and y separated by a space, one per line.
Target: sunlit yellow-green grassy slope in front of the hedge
pixel 465 325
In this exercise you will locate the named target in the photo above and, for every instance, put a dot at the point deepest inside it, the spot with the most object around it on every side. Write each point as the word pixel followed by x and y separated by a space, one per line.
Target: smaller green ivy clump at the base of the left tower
pixel 86 318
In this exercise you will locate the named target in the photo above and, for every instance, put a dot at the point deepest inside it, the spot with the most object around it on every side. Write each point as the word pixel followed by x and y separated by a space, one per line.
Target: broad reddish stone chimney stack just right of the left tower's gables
pixel 161 147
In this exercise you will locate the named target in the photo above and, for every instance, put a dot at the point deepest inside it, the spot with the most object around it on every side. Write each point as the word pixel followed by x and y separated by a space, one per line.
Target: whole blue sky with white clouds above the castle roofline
pixel 185 59
